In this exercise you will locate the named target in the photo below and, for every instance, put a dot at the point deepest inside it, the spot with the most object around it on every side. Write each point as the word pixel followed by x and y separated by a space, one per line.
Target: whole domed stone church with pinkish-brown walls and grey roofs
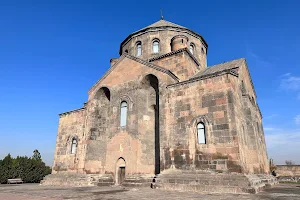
pixel 159 108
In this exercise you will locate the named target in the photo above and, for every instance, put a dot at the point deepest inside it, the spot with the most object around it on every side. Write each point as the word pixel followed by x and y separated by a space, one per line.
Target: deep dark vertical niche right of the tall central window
pixel 152 81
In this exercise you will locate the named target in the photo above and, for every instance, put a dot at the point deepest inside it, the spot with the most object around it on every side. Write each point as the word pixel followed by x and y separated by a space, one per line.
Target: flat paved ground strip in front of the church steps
pixel 37 192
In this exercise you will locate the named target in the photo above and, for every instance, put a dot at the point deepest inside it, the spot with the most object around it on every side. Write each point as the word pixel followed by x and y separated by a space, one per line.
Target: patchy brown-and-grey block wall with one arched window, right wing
pixel 208 101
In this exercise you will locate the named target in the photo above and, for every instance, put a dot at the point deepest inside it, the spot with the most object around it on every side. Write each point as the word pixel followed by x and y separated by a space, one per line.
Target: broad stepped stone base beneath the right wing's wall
pixel 212 182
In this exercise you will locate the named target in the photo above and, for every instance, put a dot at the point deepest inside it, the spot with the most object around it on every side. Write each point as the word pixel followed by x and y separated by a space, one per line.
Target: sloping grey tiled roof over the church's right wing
pixel 220 67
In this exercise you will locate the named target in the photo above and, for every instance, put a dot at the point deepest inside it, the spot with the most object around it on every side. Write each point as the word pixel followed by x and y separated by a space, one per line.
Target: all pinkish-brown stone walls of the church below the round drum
pixel 225 104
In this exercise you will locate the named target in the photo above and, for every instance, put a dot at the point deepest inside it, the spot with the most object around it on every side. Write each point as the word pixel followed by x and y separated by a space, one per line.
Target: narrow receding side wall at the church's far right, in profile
pixel 252 146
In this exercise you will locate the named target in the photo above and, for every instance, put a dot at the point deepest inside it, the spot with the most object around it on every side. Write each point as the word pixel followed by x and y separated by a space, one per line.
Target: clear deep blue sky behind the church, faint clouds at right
pixel 52 52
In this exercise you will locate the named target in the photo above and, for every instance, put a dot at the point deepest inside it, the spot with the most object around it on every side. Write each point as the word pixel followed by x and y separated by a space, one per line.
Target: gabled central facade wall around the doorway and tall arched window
pixel 135 143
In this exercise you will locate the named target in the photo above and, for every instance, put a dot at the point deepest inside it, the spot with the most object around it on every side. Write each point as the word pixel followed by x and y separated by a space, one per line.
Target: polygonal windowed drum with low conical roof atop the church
pixel 158 39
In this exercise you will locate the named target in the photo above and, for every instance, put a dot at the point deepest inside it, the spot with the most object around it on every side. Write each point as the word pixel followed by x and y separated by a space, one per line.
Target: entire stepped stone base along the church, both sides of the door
pixel 181 180
